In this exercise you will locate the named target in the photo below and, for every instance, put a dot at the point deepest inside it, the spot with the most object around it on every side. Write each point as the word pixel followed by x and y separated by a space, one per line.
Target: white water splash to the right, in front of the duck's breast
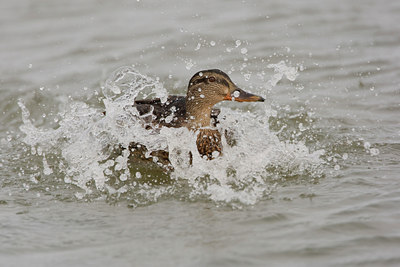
pixel 241 172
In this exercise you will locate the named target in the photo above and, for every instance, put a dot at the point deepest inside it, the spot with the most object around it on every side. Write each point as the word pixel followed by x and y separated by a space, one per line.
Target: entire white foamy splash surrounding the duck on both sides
pixel 88 149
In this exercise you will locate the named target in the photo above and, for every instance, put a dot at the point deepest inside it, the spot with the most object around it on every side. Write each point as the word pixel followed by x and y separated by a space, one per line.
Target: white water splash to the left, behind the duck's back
pixel 84 138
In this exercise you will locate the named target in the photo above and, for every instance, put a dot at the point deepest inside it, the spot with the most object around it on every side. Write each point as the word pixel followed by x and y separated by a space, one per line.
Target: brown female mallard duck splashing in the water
pixel 194 111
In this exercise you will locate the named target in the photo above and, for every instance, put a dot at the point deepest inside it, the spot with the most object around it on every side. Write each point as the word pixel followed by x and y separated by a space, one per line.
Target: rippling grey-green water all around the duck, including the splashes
pixel 317 165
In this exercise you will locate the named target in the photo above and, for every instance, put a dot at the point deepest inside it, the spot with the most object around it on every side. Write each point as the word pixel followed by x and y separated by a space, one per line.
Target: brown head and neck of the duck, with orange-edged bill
pixel 209 87
